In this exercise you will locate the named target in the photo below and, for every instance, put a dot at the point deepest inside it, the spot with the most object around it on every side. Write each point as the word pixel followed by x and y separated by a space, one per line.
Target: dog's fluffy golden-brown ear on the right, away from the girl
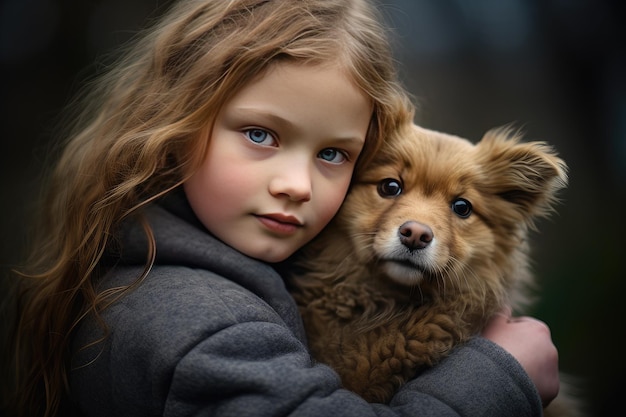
pixel 526 175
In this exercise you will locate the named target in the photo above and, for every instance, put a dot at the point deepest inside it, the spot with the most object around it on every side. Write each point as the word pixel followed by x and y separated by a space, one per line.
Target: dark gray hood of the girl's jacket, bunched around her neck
pixel 182 240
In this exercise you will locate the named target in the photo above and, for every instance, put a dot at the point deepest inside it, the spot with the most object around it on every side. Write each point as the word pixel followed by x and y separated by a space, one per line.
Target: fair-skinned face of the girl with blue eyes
pixel 280 159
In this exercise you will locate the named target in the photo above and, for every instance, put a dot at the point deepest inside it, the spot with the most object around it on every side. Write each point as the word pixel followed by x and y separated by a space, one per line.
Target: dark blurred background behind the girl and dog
pixel 556 68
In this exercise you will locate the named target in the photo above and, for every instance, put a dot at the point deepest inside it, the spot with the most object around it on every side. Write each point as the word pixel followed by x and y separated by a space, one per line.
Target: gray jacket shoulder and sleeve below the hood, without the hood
pixel 203 346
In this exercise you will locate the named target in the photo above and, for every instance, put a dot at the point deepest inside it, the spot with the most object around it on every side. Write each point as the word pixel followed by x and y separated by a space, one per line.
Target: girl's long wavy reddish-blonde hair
pixel 139 130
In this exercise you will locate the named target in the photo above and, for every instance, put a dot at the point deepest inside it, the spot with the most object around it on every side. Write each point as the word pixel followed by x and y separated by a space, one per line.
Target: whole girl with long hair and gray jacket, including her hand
pixel 219 144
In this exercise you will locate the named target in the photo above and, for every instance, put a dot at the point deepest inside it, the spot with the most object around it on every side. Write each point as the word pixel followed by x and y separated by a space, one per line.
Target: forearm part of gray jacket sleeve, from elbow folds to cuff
pixel 269 373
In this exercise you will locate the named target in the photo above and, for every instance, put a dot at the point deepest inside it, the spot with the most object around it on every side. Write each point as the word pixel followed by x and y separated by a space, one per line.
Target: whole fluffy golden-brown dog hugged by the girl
pixel 408 269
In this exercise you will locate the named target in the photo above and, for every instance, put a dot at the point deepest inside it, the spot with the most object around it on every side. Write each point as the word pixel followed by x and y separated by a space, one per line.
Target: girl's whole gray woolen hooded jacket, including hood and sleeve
pixel 211 332
